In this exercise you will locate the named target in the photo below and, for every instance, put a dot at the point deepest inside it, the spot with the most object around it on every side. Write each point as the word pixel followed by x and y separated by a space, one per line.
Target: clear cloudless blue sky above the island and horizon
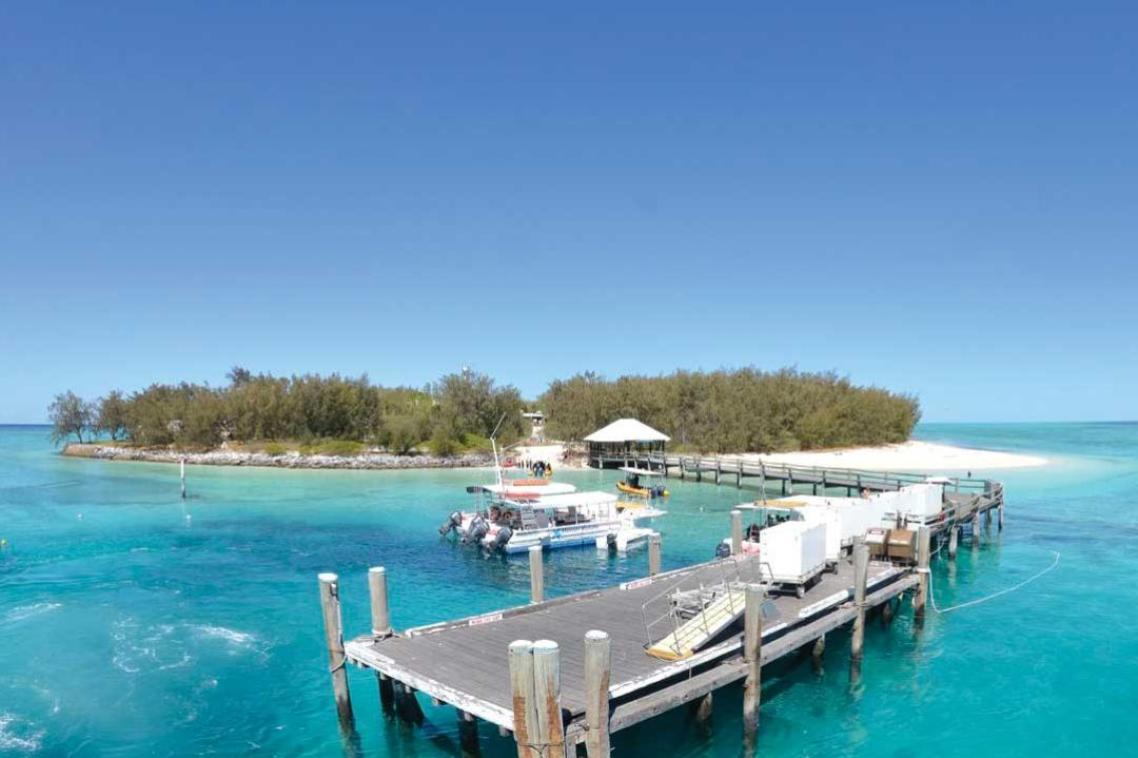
pixel 936 200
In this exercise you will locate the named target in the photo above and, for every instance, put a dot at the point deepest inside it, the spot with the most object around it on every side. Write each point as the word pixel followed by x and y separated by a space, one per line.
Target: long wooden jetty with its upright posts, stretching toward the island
pixel 572 671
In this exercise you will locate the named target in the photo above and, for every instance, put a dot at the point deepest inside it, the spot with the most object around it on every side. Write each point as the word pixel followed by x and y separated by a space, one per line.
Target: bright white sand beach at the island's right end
pixel 913 456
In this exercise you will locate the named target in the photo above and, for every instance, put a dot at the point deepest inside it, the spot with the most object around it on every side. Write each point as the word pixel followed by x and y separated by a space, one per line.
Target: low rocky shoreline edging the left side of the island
pixel 292 460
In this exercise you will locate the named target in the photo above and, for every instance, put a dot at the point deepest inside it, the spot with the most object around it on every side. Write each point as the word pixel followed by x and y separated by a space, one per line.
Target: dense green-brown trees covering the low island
pixel 720 411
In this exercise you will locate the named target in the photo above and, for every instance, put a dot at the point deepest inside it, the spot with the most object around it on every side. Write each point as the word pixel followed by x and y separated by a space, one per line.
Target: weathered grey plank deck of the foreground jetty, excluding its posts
pixel 465 663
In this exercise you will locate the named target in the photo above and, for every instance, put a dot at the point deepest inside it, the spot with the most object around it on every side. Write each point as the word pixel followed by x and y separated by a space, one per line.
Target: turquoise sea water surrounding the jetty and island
pixel 136 624
